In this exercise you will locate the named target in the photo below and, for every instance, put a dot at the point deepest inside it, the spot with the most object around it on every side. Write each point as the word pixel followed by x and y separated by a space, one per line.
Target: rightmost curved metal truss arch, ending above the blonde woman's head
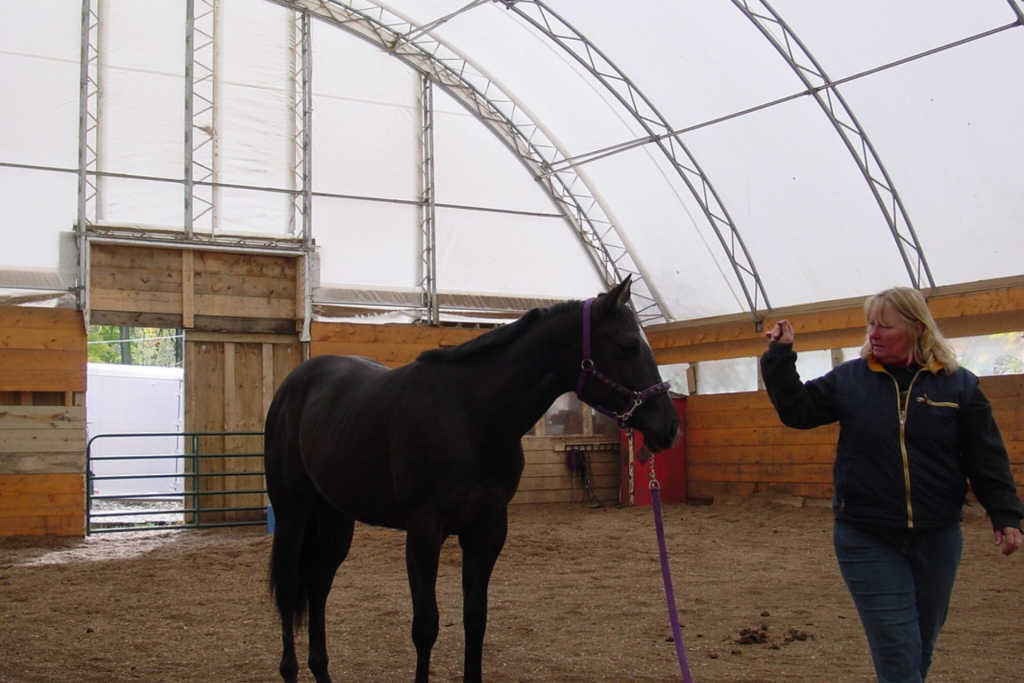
pixel 825 91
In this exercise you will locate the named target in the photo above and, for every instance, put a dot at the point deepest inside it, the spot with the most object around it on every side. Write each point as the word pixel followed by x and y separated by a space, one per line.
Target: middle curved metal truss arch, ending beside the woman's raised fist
pixel 564 34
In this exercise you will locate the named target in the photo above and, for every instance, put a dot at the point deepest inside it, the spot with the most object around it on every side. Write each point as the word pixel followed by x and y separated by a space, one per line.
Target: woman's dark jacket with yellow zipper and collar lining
pixel 911 441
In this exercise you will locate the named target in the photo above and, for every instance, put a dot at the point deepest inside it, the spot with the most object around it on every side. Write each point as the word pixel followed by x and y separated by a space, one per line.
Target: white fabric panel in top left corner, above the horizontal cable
pixel 39 77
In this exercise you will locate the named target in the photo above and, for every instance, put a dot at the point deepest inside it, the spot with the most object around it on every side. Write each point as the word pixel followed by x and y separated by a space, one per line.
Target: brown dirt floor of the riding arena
pixel 577 597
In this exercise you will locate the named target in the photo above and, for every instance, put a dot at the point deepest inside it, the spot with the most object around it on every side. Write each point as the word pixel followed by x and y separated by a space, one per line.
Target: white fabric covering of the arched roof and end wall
pixel 806 151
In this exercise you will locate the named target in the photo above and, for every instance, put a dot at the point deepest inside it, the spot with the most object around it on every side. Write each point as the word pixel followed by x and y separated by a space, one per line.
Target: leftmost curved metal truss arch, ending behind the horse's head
pixel 507 120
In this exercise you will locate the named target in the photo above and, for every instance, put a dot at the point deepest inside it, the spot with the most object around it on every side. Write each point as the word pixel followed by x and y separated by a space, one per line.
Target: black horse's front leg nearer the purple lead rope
pixel 481 548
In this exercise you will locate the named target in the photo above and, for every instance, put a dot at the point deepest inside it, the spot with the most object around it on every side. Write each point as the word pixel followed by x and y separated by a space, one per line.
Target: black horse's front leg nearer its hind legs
pixel 423 549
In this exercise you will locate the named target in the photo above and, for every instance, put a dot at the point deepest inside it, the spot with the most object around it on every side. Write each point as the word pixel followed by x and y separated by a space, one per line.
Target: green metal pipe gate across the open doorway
pixel 220 487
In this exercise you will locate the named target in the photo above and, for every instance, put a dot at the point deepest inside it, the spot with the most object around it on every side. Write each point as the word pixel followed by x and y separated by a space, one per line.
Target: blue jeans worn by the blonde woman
pixel 902 584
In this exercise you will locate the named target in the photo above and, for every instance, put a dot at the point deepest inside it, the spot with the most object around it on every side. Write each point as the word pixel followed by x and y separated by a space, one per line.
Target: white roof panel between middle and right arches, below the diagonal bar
pixel 804 210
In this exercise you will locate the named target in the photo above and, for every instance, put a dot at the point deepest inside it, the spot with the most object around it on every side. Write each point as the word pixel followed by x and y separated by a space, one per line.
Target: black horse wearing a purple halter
pixel 434 448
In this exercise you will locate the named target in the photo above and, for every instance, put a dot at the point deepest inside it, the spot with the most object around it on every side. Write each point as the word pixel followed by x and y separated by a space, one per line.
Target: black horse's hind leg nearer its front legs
pixel 328 539
